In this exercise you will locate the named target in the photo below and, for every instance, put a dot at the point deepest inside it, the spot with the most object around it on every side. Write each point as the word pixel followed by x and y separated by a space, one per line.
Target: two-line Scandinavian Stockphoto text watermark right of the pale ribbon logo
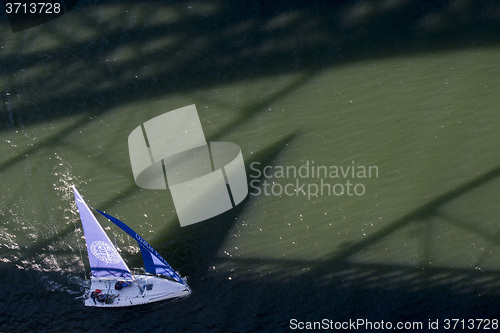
pixel 310 179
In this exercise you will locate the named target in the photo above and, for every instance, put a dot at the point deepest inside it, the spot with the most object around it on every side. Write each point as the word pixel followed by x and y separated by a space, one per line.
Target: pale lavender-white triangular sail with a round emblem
pixel 105 261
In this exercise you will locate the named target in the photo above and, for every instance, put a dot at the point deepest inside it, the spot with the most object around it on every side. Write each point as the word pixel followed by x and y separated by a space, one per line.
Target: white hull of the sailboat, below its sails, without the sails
pixel 154 289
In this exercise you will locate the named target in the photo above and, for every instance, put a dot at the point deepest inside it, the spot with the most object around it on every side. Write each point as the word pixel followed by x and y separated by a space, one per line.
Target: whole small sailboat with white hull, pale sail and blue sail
pixel 112 282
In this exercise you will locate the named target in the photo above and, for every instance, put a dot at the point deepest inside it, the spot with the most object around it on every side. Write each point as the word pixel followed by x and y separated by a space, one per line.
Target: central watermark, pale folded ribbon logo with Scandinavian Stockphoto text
pixel 208 178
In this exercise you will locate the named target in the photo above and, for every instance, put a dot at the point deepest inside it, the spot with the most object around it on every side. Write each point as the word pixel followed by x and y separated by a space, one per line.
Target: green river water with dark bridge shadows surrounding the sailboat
pixel 369 131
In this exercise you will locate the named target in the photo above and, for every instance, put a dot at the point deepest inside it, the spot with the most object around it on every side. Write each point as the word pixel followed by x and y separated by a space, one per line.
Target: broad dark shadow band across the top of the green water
pixel 232 42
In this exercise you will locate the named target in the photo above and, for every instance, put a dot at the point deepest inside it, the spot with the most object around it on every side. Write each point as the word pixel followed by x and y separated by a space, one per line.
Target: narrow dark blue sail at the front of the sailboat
pixel 153 261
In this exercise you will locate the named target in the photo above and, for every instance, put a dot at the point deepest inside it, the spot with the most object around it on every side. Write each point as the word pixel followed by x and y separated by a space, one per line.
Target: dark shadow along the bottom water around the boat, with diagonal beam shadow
pixel 249 295
